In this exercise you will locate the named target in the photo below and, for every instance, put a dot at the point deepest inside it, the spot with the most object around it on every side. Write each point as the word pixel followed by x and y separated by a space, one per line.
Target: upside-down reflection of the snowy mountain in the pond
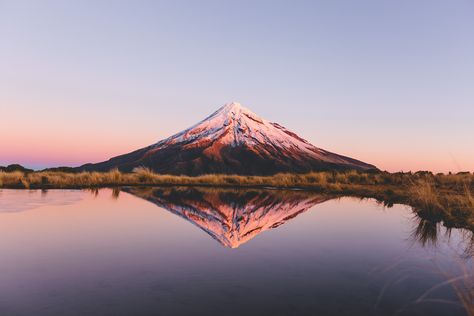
pixel 232 217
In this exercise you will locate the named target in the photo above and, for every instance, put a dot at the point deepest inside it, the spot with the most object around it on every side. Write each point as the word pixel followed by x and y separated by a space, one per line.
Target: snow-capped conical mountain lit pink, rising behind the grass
pixel 232 140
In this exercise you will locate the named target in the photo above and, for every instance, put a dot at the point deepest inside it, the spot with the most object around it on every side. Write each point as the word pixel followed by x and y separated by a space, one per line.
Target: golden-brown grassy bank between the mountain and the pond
pixel 446 196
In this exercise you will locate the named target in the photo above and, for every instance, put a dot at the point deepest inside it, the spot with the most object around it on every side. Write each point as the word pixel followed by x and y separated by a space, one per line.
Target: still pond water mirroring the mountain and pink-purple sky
pixel 174 251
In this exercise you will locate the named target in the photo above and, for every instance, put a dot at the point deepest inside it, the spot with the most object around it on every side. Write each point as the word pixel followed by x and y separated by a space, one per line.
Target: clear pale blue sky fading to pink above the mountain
pixel 388 82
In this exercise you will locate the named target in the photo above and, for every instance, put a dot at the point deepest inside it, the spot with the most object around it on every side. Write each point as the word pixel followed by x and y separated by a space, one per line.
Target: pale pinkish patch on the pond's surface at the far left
pixel 21 200
